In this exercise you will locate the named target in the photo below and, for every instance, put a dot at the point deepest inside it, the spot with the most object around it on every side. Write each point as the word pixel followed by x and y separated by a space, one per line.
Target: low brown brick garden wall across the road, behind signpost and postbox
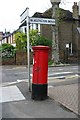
pixel 20 58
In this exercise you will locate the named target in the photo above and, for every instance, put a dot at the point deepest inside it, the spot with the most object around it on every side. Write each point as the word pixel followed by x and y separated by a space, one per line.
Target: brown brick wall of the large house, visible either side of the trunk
pixel 67 34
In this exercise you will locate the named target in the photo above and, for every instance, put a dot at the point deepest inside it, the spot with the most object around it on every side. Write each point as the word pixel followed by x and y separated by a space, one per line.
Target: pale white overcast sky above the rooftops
pixel 10 11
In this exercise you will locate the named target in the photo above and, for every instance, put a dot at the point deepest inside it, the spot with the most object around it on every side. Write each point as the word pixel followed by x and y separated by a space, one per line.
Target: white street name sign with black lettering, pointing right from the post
pixel 42 21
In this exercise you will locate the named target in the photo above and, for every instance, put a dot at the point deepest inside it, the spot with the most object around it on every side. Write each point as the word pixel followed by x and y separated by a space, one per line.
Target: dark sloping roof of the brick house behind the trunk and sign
pixel 66 15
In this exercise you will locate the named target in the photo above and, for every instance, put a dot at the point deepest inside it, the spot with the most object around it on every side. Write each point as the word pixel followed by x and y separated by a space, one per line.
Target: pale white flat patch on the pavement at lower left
pixel 10 93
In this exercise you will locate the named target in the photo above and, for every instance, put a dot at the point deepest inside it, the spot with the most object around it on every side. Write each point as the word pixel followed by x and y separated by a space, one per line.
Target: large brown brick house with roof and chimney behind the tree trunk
pixel 67 30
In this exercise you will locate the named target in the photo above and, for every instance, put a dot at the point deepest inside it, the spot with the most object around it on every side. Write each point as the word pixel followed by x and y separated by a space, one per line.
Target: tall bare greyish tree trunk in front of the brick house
pixel 55 47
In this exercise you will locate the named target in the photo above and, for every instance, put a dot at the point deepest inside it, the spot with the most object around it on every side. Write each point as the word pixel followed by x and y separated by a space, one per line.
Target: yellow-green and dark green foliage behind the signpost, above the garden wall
pixel 35 39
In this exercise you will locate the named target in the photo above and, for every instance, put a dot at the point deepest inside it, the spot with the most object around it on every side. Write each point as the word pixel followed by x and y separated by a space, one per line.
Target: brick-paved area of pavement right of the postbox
pixel 67 95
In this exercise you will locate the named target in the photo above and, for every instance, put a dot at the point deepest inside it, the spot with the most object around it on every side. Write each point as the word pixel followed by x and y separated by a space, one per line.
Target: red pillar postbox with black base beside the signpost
pixel 40 72
